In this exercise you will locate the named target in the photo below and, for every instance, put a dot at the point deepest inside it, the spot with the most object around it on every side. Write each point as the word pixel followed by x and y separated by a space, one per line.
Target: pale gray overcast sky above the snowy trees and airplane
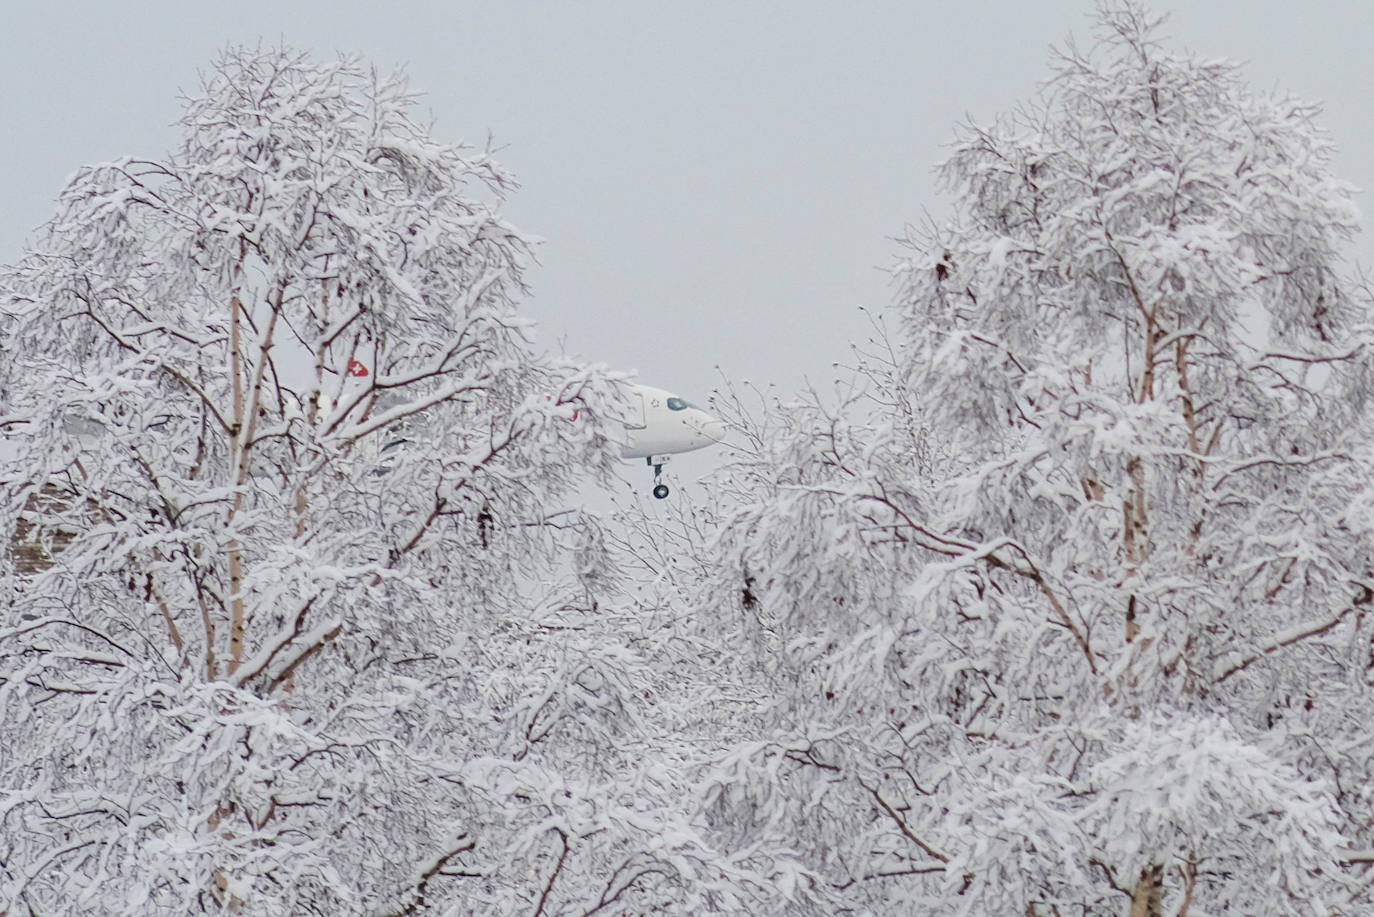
pixel 718 184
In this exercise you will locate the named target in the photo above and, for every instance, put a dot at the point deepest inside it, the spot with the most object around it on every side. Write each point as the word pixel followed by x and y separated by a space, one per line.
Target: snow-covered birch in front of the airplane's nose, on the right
pixel 1066 608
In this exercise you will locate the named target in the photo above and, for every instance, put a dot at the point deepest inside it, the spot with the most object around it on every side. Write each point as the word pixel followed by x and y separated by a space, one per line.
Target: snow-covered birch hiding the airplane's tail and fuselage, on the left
pixel 296 619
